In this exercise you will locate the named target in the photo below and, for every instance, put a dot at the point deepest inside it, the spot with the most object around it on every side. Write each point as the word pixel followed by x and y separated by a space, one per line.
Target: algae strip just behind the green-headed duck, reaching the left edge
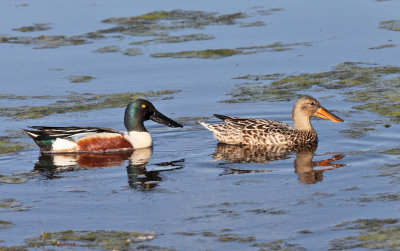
pixel 76 102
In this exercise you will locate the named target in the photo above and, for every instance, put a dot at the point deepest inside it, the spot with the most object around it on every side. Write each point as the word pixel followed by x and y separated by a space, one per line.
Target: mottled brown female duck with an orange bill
pixel 241 131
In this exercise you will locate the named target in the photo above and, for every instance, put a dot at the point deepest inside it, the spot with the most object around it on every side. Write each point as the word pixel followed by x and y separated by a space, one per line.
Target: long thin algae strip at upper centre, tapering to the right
pixel 220 53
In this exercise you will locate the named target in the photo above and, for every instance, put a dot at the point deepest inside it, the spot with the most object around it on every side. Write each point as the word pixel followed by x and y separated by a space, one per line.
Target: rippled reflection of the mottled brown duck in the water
pixel 303 164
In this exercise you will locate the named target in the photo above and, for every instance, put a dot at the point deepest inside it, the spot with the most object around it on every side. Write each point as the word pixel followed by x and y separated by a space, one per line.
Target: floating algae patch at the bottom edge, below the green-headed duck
pixel 108 240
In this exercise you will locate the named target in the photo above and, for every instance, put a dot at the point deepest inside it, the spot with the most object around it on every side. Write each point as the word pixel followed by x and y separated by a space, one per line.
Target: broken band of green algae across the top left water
pixel 157 24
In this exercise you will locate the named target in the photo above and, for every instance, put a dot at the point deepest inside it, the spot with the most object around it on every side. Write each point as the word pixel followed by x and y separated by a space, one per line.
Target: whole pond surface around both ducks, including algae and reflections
pixel 194 59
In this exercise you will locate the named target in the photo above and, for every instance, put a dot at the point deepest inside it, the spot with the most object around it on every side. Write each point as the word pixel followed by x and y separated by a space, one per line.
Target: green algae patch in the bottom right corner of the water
pixel 374 234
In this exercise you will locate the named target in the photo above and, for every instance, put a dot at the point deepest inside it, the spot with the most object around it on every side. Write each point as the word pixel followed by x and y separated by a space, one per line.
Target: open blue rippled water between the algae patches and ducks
pixel 179 190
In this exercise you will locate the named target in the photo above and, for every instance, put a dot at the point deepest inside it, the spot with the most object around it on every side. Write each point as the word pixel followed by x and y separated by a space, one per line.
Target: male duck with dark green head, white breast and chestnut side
pixel 97 139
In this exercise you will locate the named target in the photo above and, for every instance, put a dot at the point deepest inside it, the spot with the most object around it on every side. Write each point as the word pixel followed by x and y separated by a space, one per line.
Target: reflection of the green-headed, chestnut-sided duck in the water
pixel 51 165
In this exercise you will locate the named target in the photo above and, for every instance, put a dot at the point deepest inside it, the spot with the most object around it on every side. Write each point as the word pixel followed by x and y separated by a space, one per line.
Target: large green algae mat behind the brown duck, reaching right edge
pixel 376 87
